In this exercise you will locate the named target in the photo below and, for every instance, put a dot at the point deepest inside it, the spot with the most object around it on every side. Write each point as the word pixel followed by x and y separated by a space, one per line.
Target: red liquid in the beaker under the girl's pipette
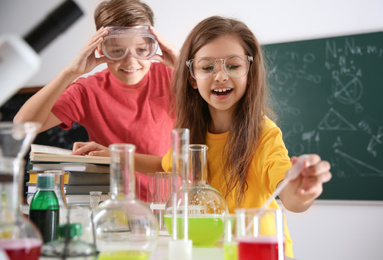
pixel 261 248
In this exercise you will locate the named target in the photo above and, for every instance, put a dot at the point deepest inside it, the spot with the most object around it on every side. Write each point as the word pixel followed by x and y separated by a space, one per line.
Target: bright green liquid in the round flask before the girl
pixel 204 229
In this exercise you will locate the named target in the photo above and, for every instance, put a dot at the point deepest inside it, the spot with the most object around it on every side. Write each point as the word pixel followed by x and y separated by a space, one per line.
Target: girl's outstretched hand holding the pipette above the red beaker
pixel 301 192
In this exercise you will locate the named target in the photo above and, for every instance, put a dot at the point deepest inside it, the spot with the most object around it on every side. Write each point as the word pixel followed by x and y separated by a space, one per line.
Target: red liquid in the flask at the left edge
pixel 21 249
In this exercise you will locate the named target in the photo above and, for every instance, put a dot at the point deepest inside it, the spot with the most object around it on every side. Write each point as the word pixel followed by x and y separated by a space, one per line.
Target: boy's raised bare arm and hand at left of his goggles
pixel 38 107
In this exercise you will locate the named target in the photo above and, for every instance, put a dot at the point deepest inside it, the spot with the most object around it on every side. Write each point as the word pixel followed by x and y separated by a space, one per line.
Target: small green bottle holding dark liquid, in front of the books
pixel 44 209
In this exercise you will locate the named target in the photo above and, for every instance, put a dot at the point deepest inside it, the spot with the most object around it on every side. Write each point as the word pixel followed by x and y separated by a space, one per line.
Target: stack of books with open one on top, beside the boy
pixel 82 174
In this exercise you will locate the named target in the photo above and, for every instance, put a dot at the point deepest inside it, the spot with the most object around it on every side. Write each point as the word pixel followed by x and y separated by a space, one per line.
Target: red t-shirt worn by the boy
pixel 113 112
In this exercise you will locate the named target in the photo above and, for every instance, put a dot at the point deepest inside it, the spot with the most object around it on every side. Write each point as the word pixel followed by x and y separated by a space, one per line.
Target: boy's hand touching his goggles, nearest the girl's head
pixel 169 51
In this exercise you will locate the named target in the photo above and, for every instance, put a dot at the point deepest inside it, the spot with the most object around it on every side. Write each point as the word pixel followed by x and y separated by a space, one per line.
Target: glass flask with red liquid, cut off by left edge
pixel 19 238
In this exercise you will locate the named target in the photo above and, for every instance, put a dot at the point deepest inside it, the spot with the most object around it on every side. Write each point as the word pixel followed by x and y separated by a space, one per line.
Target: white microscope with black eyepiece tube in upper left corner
pixel 19 59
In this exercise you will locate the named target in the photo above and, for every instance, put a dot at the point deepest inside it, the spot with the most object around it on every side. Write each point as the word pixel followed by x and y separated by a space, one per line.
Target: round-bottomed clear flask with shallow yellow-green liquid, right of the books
pixel 125 228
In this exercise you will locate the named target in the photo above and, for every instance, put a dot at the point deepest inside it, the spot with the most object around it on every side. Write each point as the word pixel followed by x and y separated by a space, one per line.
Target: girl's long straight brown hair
pixel 192 111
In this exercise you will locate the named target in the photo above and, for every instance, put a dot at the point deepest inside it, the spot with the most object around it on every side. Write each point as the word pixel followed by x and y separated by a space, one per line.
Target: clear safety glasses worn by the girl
pixel 234 66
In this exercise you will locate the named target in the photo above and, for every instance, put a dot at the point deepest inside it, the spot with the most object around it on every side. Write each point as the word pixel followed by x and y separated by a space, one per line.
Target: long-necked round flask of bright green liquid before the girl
pixel 207 206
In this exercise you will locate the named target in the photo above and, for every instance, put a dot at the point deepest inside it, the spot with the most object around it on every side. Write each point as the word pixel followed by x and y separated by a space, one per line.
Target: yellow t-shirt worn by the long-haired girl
pixel 267 169
